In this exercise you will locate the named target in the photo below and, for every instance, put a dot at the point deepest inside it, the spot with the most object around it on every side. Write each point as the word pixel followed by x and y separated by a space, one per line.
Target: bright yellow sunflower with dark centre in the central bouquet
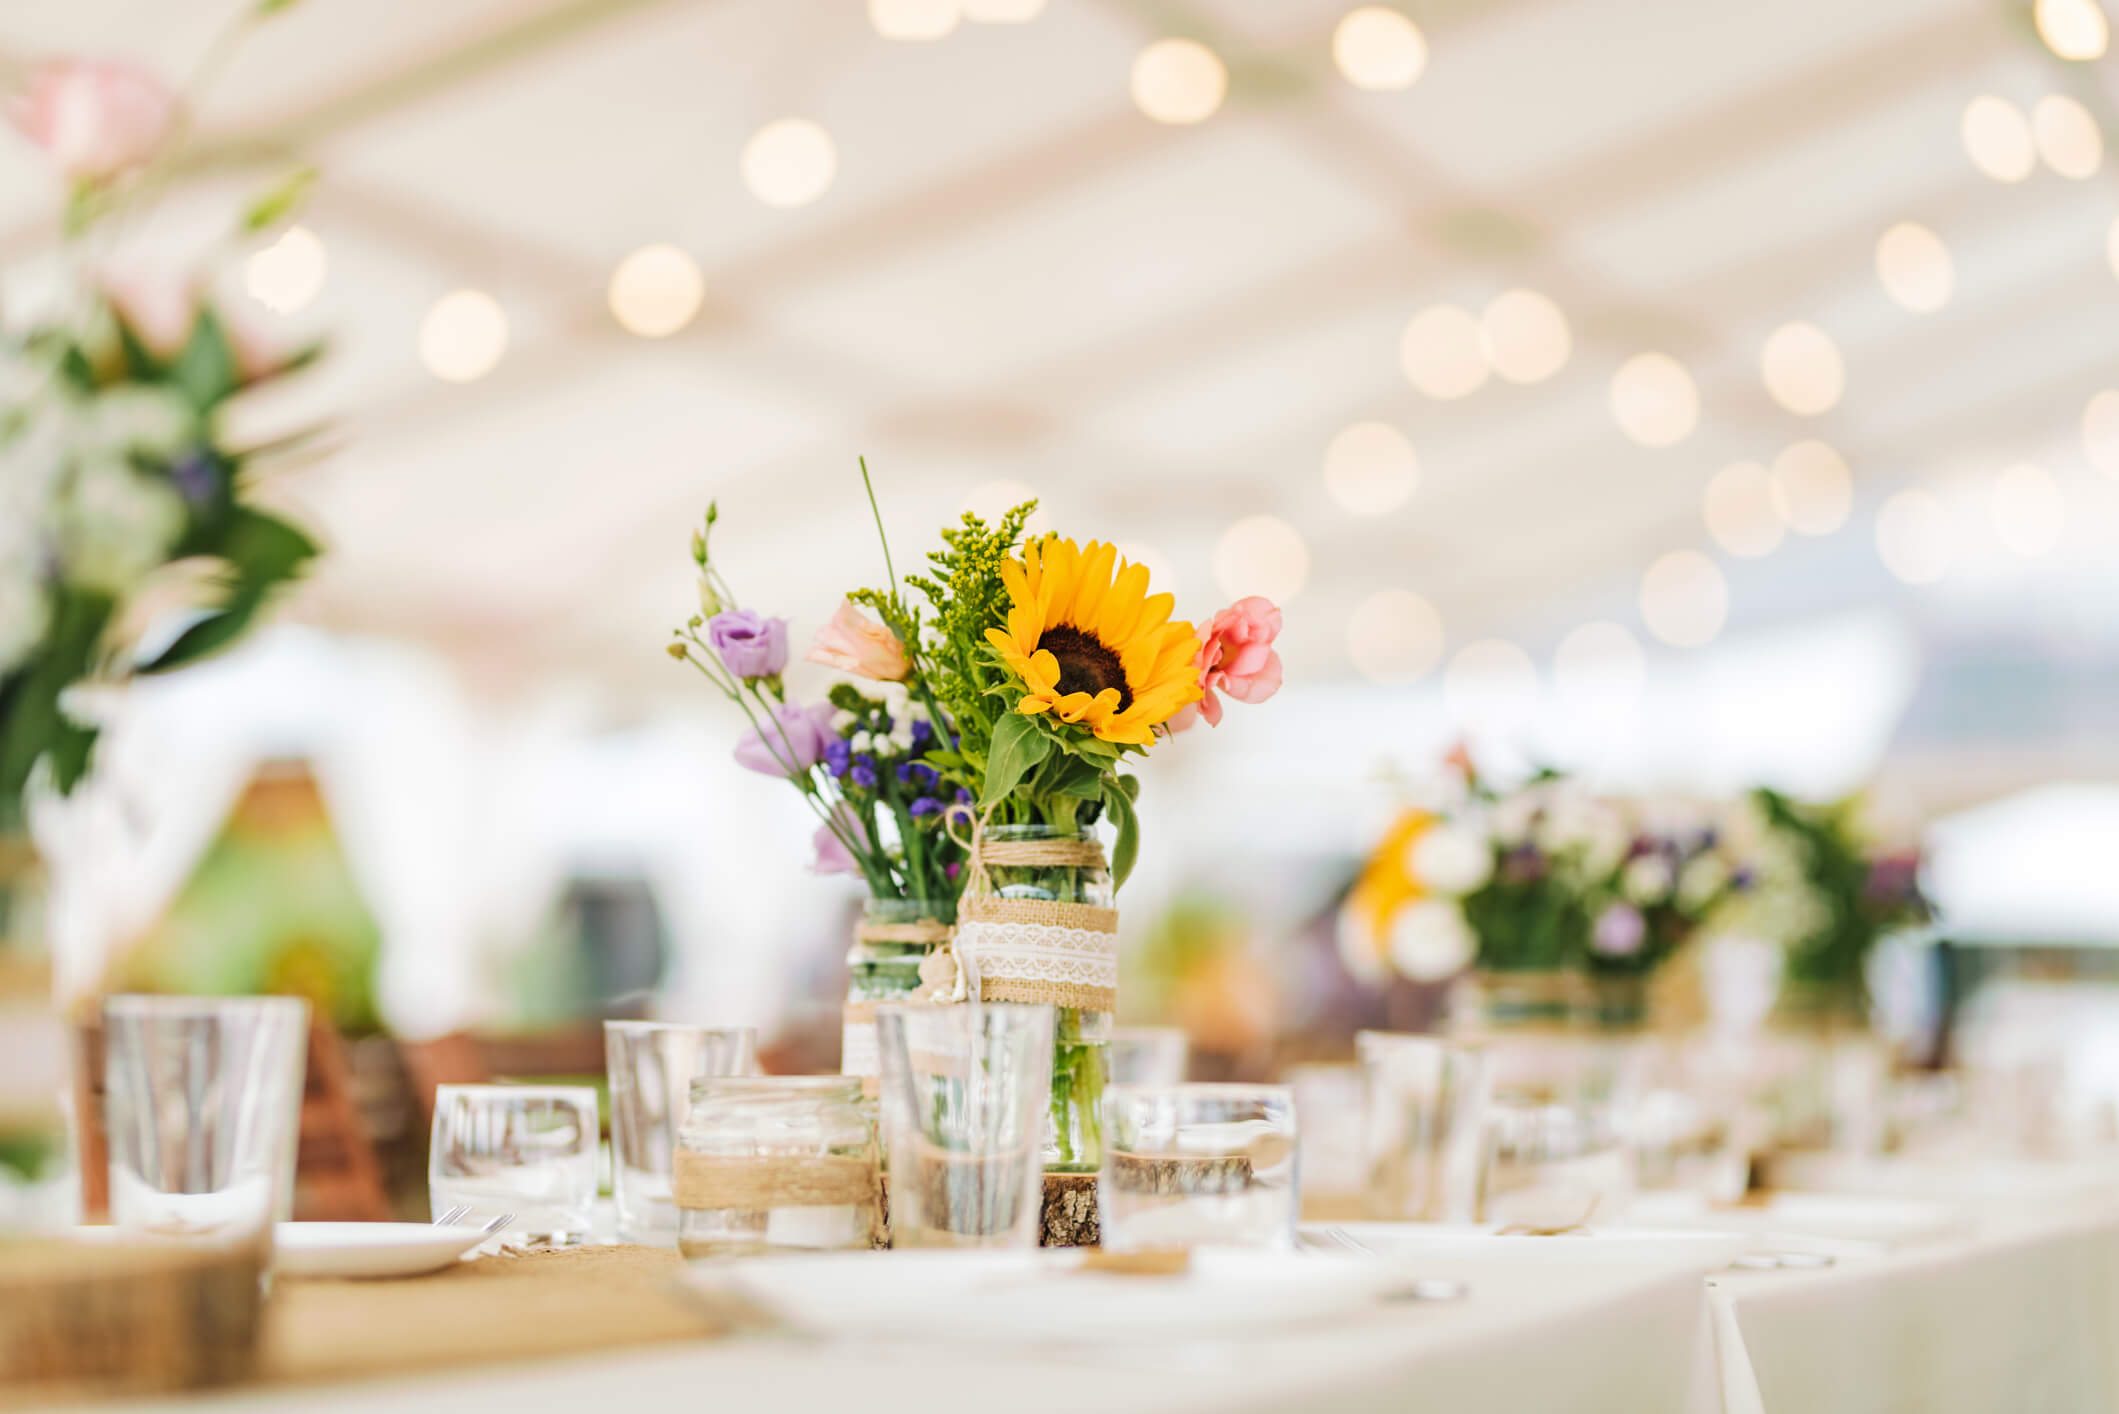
pixel 1090 643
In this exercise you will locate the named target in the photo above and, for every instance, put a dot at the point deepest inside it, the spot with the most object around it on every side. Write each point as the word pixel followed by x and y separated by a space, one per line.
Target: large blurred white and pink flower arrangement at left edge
pixel 130 540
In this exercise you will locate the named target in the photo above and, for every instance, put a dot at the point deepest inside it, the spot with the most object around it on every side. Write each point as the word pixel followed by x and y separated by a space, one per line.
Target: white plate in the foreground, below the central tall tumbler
pixel 1048 1296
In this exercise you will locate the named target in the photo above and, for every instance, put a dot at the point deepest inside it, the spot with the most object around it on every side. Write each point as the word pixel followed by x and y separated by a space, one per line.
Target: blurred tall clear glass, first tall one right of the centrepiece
pixel 1423 1112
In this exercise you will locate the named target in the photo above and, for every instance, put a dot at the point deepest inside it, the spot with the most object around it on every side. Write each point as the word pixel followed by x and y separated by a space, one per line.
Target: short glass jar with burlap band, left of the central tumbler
pixel 777 1163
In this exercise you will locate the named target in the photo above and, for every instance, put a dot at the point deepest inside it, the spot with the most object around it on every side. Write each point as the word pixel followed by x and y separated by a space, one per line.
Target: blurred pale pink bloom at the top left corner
pixel 94 118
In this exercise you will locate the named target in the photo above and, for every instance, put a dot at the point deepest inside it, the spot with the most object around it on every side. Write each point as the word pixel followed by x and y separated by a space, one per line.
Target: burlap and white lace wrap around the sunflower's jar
pixel 1027 951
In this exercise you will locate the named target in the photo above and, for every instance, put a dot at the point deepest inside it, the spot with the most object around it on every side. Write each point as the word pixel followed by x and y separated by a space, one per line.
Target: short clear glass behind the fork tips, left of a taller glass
pixel 522 1150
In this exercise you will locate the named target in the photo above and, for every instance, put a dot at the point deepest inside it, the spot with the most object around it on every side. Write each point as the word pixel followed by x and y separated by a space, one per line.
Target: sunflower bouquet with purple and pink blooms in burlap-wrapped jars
pixel 1008 690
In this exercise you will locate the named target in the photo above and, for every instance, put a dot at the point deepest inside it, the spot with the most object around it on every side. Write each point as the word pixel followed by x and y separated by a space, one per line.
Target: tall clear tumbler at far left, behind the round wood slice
pixel 202 1101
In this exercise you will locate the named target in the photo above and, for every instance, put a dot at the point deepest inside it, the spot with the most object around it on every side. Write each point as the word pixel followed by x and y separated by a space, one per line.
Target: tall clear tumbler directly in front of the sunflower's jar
pixel 965 1112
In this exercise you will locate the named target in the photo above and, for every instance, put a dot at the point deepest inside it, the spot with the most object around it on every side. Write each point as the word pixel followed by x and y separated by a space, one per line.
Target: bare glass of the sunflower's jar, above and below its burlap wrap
pixel 1082 1040
